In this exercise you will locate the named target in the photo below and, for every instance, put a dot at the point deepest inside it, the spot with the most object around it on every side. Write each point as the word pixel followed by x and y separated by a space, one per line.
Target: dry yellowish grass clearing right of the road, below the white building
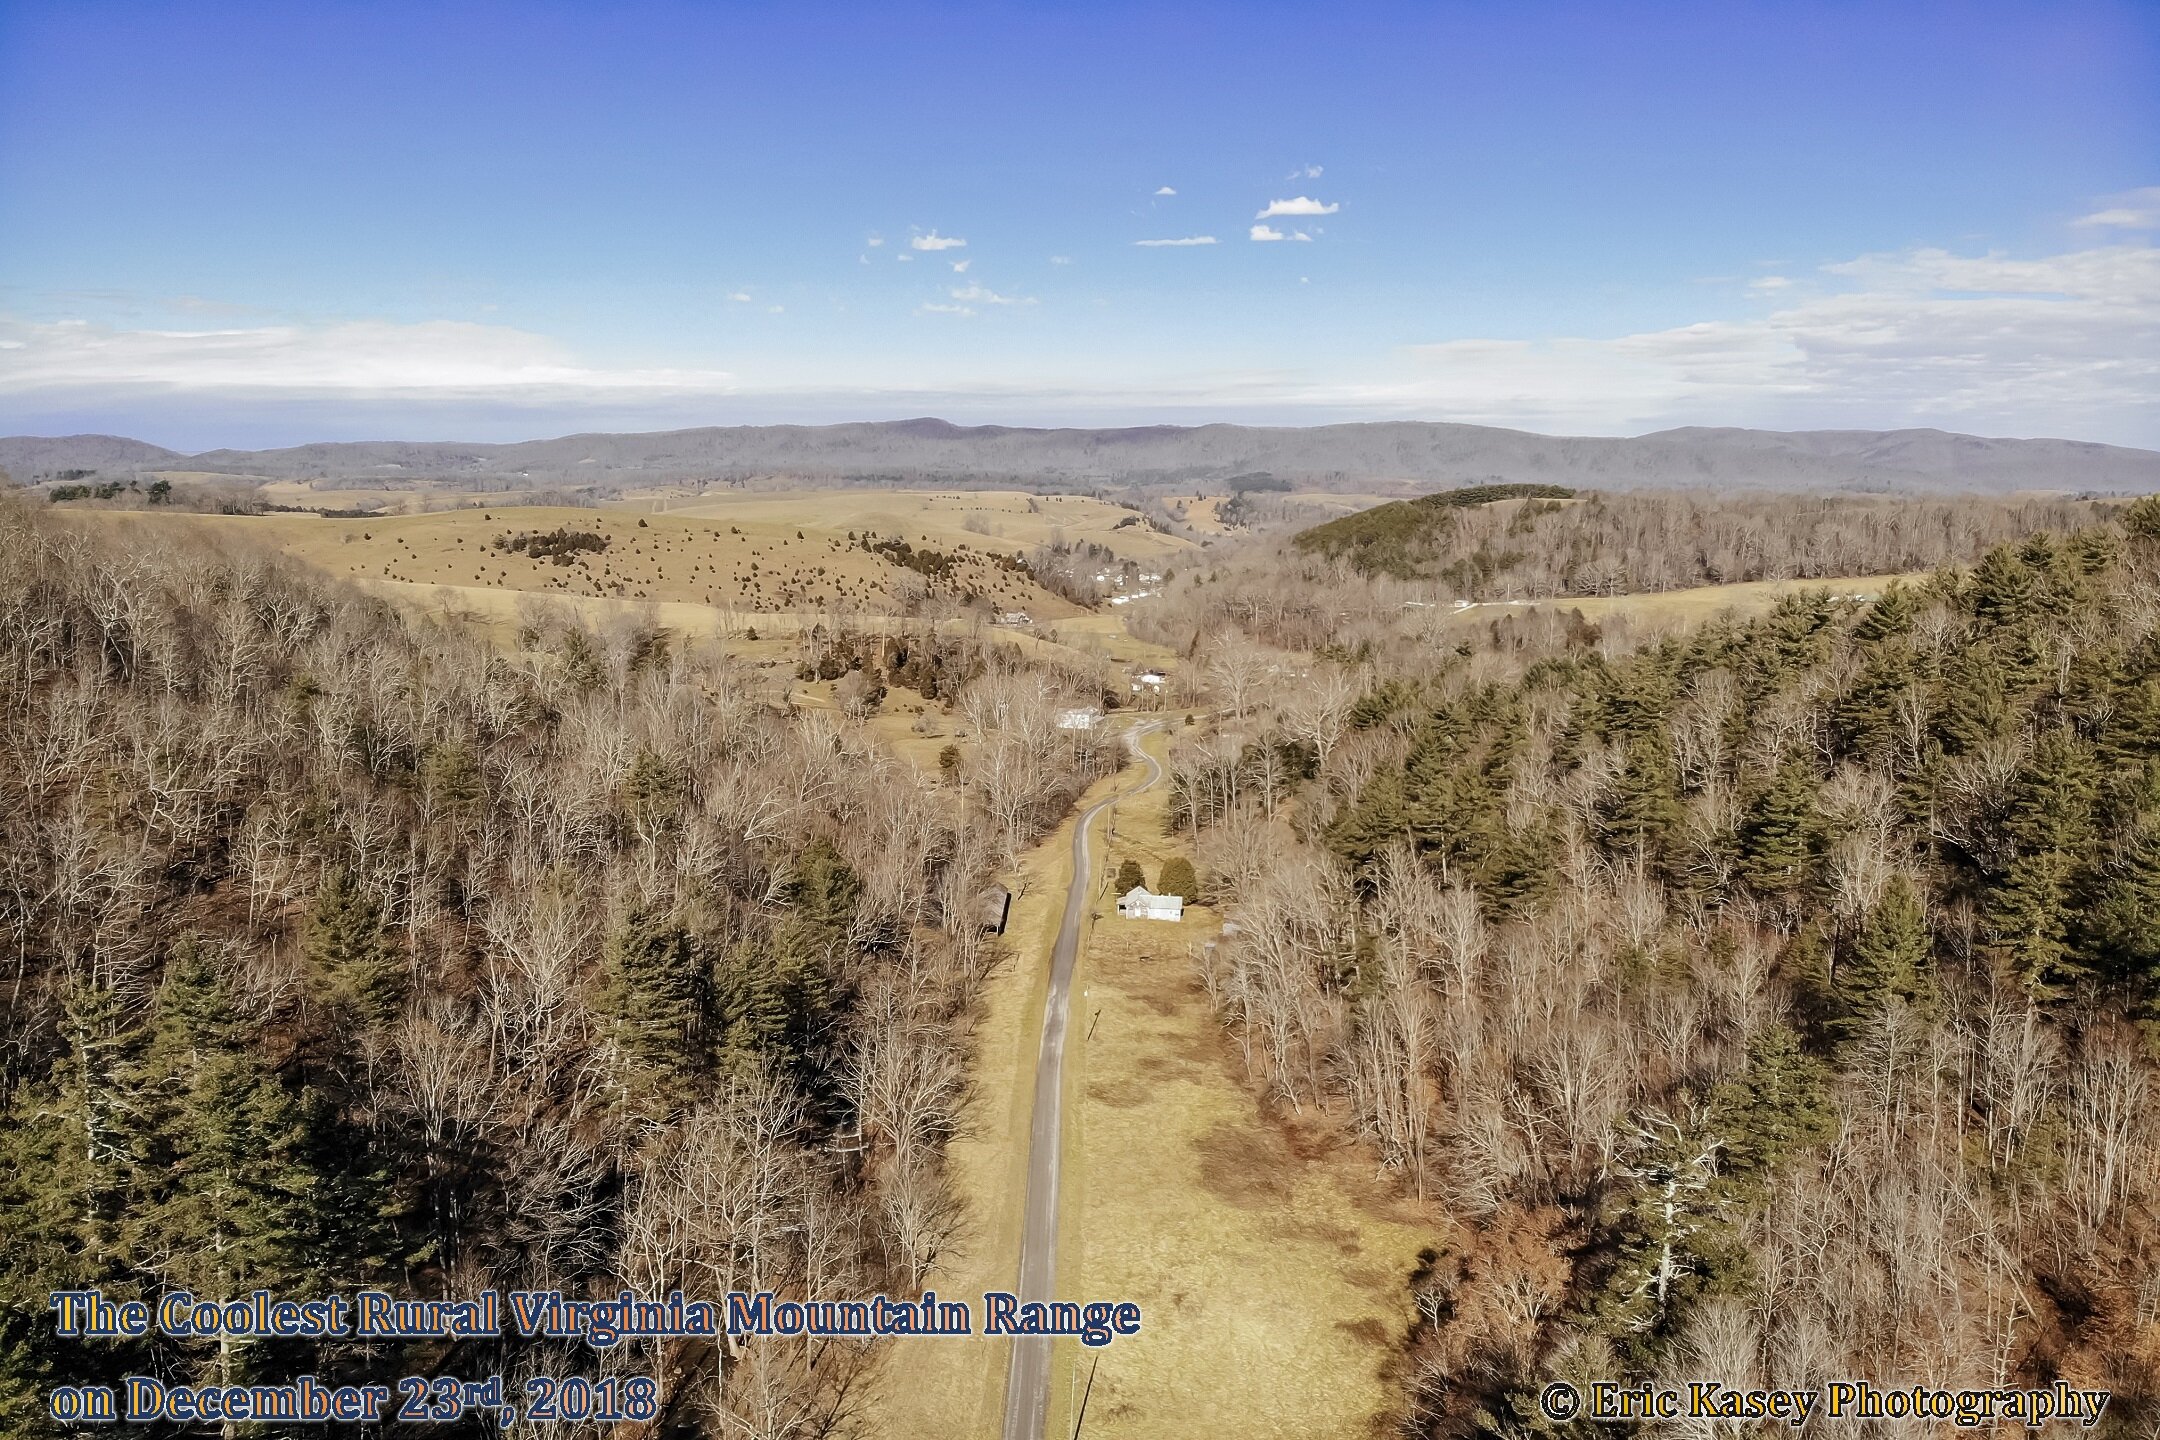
pixel 1269 1266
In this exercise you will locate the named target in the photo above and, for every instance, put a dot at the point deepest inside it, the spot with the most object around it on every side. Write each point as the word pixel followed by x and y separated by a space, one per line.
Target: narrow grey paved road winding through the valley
pixel 1027 1387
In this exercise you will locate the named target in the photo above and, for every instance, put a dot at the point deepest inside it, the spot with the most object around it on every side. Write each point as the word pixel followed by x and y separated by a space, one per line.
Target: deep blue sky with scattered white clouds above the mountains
pixel 243 226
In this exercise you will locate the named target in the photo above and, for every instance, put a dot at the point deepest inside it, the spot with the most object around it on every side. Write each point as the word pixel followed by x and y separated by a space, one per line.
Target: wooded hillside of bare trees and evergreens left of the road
pixel 355 953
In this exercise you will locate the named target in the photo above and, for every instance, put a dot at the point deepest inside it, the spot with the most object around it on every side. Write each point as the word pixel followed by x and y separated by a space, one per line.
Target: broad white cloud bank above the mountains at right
pixel 2066 344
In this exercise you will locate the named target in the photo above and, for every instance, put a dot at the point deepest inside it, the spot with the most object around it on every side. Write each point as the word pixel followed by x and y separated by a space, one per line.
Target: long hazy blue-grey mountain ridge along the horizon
pixel 1377 457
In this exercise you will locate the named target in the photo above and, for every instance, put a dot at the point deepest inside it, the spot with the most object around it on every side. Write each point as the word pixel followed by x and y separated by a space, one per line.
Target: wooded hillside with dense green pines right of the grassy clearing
pixel 1772 1001
